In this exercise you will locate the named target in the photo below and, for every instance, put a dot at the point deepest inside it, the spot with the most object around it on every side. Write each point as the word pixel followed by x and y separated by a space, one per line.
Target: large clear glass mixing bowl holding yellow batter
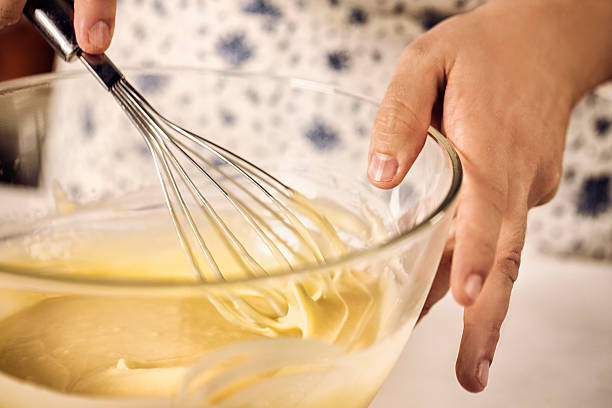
pixel 92 313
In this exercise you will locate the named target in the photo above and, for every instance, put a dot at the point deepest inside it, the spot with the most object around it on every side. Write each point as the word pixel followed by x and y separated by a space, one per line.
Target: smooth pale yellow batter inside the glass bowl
pixel 308 327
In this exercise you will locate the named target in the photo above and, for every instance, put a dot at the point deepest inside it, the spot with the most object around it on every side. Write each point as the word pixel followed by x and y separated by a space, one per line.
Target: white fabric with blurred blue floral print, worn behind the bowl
pixel 353 44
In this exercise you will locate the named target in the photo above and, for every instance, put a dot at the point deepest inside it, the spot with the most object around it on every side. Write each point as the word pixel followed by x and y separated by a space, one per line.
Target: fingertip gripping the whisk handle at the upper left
pixel 94 23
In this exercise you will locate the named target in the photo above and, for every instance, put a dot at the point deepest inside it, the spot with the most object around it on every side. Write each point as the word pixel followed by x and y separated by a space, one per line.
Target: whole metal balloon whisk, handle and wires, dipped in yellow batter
pixel 262 218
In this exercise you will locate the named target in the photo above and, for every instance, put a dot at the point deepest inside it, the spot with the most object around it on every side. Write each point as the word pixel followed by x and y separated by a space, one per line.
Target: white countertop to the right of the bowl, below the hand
pixel 555 348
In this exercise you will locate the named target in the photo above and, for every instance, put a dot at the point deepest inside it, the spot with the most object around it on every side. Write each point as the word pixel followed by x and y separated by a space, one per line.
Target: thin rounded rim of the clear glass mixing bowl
pixel 26 278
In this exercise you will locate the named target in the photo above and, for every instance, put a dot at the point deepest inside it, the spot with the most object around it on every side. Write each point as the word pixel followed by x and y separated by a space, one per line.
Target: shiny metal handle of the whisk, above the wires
pixel 54 19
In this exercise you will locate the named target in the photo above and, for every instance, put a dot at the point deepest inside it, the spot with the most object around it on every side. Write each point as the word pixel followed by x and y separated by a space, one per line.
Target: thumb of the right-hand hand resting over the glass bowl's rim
pixel 404 115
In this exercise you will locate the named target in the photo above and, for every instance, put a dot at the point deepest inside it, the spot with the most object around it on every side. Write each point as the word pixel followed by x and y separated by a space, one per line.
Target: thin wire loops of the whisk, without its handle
pixel 188 163
